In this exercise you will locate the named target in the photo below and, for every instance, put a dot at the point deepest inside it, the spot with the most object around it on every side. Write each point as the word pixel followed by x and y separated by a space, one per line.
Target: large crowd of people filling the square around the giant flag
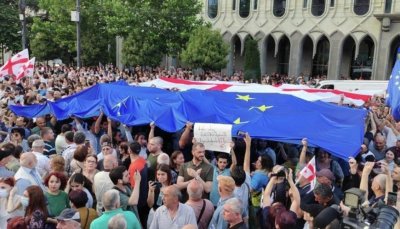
pixel 98 173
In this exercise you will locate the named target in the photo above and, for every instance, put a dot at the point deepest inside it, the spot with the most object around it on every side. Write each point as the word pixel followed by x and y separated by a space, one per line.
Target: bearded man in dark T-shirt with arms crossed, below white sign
pixel 197 169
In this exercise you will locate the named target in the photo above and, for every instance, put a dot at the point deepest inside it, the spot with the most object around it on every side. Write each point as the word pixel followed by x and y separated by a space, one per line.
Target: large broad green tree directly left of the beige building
pixel 151 28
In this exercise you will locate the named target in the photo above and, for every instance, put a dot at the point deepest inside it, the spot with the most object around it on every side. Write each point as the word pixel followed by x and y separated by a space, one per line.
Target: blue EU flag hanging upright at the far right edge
pixel 393 90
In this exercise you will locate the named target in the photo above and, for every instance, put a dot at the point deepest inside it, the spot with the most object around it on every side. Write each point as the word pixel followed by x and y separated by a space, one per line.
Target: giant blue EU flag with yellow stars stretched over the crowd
pixel 270 116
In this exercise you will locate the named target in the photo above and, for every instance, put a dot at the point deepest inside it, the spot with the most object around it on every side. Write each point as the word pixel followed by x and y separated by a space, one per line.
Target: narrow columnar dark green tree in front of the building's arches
pixel 251 60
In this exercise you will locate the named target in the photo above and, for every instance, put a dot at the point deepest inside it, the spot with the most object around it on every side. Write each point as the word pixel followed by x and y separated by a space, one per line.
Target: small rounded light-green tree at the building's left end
pixel 206 49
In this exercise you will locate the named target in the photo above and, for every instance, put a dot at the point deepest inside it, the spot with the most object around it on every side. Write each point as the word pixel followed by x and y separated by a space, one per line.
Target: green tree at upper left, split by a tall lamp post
pixel 55 35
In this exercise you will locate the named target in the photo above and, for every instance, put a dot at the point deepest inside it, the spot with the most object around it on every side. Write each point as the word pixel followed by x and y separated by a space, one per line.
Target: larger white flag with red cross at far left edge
pixel 14 64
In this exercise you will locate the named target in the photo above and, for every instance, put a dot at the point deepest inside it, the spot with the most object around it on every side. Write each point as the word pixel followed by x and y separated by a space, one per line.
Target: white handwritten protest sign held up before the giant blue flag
pixel 216 137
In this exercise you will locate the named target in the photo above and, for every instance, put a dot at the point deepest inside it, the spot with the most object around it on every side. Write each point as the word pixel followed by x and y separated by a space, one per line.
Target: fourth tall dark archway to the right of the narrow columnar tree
pixel 321 59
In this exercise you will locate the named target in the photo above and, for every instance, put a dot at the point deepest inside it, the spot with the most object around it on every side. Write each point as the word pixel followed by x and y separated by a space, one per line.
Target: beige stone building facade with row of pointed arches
pixel 337 38
